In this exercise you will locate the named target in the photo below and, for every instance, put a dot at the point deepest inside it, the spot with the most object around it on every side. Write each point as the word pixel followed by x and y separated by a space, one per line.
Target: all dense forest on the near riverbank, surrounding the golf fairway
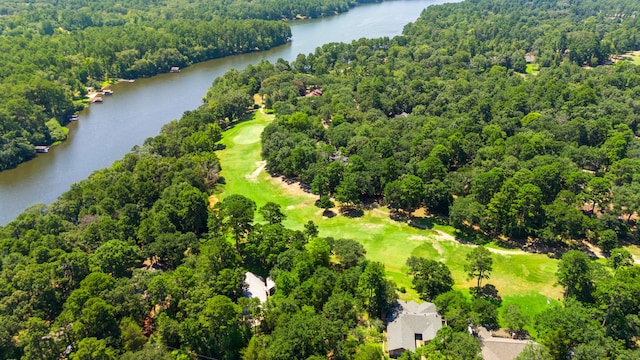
pixel 134 262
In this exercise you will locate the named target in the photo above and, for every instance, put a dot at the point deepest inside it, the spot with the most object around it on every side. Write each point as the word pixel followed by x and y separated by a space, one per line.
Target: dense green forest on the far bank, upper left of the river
pixel 52 51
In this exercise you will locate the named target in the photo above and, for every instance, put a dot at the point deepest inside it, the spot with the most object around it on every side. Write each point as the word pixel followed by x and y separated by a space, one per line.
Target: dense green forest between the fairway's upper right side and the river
pixel 446 117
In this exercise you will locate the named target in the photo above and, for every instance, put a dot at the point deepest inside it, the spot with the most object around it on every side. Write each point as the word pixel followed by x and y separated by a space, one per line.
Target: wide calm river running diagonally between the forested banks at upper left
pixel 136 111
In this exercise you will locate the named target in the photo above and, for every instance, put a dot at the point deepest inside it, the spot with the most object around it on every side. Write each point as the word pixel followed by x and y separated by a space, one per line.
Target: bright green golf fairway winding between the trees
pixel 522 278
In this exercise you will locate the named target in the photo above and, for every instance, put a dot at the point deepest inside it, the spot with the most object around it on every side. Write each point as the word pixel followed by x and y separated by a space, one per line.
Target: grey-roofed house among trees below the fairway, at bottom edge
pixel 411 325
